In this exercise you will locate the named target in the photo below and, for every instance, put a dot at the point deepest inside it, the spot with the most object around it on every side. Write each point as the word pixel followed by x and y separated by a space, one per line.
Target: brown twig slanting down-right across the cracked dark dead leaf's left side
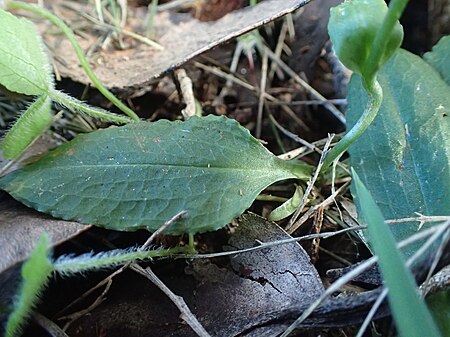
pixel 186 313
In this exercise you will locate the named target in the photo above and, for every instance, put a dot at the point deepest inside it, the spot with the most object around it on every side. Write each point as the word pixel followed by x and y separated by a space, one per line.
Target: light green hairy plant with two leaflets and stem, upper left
pixel 25 69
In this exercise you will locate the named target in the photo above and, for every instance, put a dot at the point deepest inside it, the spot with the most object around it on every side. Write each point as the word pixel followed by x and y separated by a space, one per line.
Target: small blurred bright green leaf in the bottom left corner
pixel 35 273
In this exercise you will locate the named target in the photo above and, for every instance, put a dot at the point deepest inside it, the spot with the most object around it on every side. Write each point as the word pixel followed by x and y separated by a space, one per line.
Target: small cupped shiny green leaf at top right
pixel 352 28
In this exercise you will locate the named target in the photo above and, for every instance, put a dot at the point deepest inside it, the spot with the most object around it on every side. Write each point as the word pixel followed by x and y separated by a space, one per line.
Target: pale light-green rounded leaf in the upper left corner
pixel 24 66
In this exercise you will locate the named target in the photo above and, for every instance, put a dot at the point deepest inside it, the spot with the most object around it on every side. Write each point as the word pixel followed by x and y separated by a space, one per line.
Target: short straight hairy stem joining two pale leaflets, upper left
pixel 75 105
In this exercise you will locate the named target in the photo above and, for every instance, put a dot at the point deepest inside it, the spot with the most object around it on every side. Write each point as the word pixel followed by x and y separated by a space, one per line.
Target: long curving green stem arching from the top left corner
pixel 83 61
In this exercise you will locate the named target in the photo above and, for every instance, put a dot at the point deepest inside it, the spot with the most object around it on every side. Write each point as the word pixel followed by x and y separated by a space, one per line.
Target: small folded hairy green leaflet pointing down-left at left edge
pixel 30 125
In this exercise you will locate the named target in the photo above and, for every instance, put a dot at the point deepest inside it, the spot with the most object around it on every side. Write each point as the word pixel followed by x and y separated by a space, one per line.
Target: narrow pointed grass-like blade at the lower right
pixel 409 310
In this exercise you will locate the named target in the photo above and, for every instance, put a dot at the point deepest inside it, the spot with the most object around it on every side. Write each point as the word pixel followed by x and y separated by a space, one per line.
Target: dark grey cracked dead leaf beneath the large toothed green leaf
pixel 228 295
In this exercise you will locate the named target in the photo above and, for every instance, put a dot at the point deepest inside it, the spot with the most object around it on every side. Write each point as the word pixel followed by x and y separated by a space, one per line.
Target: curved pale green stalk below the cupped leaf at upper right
pixel 375 93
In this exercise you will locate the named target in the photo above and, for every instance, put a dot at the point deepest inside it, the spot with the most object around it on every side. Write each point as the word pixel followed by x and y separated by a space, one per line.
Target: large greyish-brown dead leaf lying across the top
pixel 182 37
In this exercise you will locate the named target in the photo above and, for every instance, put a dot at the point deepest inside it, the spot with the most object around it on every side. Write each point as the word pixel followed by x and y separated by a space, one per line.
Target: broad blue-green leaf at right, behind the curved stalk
pixel 404 156
